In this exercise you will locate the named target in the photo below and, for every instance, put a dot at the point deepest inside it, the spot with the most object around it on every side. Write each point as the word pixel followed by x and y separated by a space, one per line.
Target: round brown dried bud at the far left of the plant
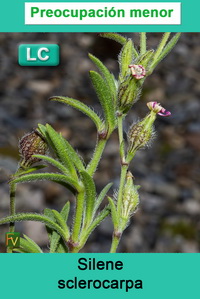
pixel 31 144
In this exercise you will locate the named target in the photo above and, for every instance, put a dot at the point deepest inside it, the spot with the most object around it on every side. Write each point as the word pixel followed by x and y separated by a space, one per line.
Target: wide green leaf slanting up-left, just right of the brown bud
pixel 61 151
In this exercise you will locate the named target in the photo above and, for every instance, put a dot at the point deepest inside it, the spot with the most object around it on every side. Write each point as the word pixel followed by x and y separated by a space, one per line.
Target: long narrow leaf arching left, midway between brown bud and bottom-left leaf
pixel 58 178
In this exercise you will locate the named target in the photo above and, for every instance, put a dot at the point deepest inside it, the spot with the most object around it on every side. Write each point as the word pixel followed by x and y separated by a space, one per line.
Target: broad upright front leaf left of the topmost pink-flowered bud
pixel 105 98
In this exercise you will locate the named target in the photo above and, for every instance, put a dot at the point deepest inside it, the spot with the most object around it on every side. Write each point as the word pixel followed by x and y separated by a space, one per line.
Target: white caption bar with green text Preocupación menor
pixel 113 13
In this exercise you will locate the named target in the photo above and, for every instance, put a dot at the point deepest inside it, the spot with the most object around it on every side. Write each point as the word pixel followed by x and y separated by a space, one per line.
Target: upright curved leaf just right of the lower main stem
pixel 90 194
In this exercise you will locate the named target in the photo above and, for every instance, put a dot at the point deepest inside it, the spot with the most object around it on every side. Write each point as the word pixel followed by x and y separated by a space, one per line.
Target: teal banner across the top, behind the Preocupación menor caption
pixel 13 14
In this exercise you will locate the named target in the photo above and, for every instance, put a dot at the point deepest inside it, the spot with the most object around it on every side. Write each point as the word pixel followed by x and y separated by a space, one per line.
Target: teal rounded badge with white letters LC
pixel 38 55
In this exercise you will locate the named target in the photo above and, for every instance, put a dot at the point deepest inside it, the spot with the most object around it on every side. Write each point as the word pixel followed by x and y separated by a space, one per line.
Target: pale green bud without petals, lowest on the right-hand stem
pixel 130 197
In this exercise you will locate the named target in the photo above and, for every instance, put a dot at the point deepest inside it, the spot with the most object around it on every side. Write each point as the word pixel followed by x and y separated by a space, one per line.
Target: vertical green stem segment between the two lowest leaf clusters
pixel 78 216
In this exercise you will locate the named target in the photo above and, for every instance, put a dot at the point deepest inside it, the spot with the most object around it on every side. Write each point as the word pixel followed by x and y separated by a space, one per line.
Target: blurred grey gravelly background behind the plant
pixel 168 217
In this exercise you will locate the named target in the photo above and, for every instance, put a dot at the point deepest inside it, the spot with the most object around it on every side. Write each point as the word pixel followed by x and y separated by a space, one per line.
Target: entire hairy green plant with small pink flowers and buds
pixel 116 96
